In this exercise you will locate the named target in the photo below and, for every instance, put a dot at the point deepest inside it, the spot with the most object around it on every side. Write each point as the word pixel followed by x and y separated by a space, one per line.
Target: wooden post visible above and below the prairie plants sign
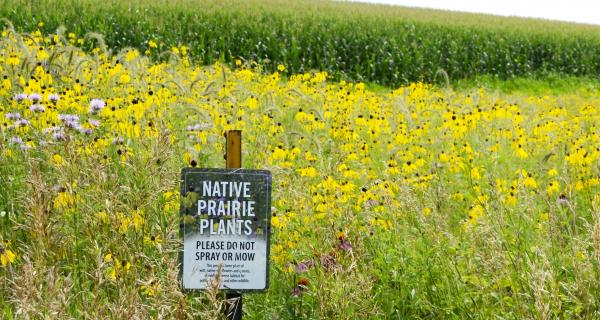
pixel 233 159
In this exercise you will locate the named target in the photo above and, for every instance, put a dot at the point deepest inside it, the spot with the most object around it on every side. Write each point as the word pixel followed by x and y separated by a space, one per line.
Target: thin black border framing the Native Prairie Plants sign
pixel 224 171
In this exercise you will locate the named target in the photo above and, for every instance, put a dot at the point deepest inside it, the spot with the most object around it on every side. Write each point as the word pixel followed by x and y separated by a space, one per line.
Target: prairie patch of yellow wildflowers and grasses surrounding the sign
pixel 419 202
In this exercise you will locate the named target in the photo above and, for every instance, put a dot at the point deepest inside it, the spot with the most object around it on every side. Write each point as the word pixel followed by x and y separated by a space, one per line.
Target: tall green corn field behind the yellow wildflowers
pixel 380 44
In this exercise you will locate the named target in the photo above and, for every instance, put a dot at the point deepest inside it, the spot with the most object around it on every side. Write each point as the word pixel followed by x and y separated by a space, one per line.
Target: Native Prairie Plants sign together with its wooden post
pixel 226 224
